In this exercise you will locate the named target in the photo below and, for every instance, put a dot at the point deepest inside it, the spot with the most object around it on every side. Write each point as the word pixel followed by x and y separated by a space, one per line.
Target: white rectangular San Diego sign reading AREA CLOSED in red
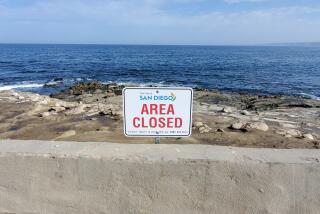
pixel 157 112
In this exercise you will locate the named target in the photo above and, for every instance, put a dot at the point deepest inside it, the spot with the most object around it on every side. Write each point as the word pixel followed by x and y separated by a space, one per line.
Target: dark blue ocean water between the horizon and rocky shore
pixel 291 70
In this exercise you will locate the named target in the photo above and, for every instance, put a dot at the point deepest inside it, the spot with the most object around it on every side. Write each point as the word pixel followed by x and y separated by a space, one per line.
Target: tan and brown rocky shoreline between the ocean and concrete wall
pixel 92 111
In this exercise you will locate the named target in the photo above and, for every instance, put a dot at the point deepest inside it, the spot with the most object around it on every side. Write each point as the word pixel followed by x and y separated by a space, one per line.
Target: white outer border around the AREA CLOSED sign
pixel 155 88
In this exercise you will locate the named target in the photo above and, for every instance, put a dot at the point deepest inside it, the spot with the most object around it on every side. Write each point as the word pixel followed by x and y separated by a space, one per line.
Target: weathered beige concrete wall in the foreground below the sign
pixel 70 177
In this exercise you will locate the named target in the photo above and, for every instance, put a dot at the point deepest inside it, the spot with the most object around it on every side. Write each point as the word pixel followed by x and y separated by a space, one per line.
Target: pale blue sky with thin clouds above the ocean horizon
pixel 201 22
